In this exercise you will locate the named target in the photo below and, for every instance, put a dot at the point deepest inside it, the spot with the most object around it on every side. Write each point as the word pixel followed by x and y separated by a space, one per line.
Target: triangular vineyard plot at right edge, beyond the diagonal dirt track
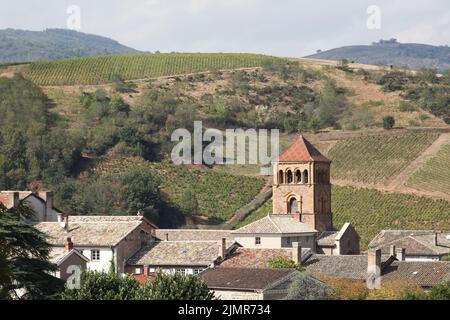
pixel 435 174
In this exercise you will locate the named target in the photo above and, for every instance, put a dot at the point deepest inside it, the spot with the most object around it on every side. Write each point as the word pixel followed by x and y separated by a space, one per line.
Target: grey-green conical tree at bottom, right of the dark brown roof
pixel 305 287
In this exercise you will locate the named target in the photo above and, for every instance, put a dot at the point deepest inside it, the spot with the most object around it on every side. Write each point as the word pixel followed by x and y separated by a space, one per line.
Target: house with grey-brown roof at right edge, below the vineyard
pixel 419 245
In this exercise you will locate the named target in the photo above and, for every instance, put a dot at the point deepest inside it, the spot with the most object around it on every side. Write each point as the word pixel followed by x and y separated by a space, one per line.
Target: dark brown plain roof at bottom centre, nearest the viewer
pixel 245 279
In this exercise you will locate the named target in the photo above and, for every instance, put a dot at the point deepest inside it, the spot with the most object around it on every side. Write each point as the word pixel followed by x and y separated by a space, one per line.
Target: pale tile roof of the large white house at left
pixel 89 234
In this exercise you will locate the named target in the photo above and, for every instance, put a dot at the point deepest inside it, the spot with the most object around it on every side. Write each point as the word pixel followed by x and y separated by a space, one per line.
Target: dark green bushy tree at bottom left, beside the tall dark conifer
pixel 103 286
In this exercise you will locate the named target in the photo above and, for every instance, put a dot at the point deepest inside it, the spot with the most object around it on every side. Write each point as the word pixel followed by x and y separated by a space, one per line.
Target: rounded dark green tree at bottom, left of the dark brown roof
pixel 175 287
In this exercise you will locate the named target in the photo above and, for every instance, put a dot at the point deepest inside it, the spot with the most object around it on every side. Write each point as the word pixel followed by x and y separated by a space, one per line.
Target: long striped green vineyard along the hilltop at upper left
pixel 99 70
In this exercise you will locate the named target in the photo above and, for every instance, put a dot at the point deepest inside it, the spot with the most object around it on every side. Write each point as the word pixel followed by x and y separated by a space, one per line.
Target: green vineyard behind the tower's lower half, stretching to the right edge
pixel 371 211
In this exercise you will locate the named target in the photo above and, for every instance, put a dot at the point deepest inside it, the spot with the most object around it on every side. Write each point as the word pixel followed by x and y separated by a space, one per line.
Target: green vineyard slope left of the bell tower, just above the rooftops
pixel 218 194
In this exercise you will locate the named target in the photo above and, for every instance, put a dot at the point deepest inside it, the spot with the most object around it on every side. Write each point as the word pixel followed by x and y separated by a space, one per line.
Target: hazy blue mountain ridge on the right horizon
pixel 391 52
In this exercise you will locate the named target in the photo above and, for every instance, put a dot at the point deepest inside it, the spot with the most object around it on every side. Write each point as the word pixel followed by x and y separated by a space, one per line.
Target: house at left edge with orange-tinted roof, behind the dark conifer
pixel 40 202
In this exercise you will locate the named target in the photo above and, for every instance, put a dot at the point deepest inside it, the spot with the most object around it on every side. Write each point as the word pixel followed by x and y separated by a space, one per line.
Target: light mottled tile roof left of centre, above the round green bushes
pixel 178 253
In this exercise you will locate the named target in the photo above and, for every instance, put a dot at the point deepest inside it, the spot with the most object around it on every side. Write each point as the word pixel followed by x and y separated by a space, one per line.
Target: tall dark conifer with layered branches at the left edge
pixel 24 258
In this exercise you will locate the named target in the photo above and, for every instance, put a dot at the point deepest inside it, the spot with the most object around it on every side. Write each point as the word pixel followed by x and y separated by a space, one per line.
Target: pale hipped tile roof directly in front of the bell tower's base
pixel 275 224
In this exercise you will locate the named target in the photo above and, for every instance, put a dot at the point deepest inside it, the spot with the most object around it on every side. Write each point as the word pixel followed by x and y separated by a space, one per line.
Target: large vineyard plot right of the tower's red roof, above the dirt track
pixel 377 159
